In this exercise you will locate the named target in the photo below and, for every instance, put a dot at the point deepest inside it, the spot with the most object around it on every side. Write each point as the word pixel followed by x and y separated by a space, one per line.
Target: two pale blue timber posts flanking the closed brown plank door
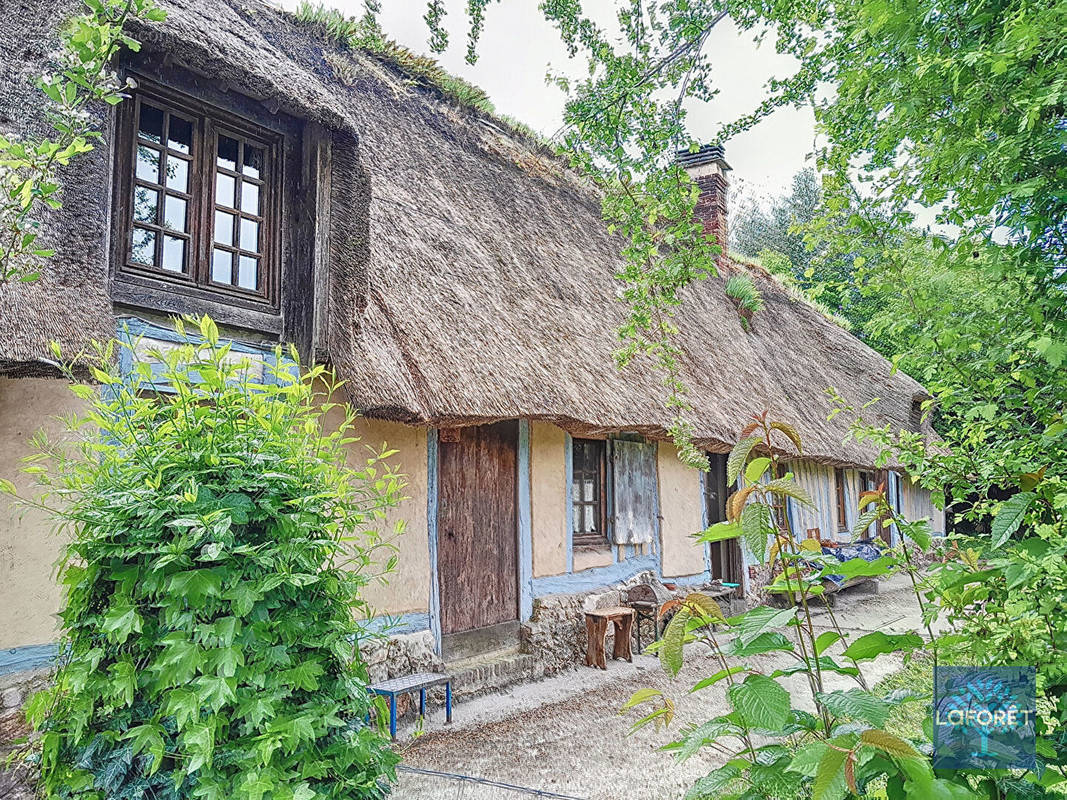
pixel 525 550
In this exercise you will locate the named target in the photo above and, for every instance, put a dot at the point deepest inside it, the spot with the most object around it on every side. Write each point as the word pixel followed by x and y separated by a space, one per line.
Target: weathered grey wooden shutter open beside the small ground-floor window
pixel 634 470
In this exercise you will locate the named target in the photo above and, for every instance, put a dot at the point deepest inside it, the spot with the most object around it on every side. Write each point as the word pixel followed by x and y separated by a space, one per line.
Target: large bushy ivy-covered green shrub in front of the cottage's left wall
pixel 218 547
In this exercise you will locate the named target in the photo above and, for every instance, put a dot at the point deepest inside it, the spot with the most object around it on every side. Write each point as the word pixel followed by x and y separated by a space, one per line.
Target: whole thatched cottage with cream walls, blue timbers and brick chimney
pixel 457 276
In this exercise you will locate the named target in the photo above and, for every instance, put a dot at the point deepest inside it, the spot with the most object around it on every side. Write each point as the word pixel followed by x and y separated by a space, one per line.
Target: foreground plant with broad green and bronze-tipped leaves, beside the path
pixel 833 743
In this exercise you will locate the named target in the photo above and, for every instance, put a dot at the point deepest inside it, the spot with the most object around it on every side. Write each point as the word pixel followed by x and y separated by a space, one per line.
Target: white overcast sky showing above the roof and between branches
pixel 518 46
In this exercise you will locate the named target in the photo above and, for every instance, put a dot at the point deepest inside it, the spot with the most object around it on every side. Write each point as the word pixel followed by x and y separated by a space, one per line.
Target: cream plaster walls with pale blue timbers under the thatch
pixel 549 564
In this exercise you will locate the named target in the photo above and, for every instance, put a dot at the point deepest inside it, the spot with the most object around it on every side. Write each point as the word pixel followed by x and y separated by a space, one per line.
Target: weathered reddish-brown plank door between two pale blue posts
pixel 477 527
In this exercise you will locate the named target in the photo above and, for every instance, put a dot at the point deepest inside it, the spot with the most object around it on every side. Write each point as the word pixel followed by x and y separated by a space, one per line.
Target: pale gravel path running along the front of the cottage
pixel 566 735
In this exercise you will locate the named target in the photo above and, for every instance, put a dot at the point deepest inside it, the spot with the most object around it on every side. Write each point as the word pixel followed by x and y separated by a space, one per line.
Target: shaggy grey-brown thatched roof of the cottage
pixel 487 287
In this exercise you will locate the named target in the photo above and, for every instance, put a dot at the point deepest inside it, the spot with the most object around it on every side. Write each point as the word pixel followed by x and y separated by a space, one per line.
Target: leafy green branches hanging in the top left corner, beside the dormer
pixel 30 166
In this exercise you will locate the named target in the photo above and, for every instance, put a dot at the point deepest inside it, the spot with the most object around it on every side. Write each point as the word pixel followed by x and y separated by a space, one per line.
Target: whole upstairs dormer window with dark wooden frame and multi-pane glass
pixel 202 198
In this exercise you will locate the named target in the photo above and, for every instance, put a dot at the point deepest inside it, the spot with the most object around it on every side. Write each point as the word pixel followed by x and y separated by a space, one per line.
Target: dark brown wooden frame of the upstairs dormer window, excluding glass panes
pixel 210 122
